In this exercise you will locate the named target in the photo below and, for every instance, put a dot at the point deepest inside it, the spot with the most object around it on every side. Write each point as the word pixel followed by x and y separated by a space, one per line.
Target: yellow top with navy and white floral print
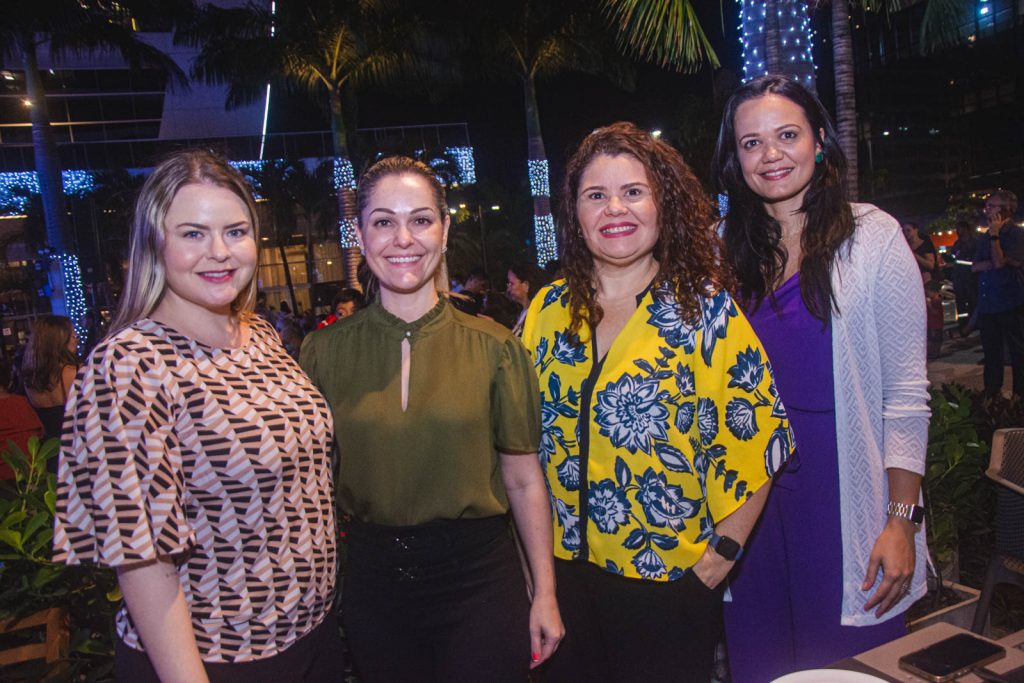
pixel 645 451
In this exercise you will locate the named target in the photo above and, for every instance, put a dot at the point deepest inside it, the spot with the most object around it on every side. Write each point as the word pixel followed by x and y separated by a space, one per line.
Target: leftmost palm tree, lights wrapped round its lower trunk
pixel 67 28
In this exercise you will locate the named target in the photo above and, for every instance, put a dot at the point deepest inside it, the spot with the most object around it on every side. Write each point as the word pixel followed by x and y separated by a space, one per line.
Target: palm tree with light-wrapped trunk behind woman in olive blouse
pixel 328 49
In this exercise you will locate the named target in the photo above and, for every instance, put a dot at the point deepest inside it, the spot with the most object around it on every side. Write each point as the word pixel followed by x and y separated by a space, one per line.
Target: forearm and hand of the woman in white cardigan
pixel 894 551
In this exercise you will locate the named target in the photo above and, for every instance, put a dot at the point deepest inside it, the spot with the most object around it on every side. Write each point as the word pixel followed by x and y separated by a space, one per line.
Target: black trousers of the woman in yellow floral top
pixel 631 630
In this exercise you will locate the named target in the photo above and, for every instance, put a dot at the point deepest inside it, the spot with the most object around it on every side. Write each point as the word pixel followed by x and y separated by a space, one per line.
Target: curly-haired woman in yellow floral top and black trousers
pixel 662 426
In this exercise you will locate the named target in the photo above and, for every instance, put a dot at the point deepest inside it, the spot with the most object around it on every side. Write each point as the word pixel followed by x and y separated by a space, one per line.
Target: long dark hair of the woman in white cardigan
pixel 753 238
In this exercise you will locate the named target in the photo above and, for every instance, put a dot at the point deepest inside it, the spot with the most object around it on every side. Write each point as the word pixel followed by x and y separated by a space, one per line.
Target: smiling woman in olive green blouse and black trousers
pixel 439 424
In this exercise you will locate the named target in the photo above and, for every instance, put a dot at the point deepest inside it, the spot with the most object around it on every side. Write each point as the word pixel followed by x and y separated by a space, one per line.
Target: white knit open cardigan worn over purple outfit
pixel 881 387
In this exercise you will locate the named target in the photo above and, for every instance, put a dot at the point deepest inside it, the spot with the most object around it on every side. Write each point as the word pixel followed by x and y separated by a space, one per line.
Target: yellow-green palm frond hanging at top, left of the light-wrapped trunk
pixel 667 33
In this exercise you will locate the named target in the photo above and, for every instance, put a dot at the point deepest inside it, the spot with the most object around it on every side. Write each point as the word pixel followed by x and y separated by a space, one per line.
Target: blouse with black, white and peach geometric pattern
pixel 219 460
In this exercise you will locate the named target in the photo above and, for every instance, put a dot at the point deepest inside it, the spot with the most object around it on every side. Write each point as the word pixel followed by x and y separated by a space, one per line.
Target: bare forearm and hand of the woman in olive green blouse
pixel 532 510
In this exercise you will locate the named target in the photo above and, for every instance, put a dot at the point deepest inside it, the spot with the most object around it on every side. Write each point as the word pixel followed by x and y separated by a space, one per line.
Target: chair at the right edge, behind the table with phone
pixel 1007 565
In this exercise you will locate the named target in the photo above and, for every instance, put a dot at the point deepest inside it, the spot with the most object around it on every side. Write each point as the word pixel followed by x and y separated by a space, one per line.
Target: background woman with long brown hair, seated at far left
pixel 49 370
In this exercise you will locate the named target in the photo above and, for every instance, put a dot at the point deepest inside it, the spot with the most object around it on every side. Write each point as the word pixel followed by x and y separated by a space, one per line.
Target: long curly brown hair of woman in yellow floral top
pixel 688 247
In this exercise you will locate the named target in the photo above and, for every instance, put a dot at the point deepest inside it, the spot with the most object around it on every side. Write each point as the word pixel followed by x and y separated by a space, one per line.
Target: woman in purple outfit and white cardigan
pixel 835 296
